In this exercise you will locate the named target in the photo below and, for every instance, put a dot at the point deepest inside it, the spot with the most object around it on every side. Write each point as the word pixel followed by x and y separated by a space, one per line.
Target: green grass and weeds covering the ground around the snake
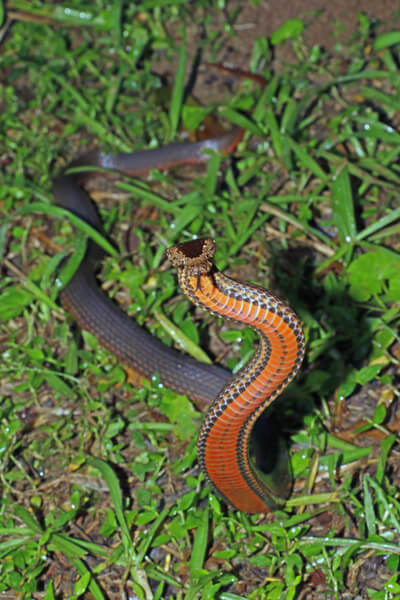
pixel 308 206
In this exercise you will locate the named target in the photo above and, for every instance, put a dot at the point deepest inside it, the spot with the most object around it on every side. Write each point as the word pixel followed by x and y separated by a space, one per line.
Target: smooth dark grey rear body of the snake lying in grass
pixel 95 312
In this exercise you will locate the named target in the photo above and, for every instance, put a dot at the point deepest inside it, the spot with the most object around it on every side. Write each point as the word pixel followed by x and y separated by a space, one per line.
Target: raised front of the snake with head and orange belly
pixel 223 443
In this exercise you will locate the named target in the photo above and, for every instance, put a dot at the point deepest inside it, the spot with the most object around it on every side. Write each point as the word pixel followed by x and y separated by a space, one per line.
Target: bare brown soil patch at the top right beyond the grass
pixel 327 24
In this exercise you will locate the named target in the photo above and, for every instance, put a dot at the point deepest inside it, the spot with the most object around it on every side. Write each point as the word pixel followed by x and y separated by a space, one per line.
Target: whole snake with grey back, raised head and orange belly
pixel 234 403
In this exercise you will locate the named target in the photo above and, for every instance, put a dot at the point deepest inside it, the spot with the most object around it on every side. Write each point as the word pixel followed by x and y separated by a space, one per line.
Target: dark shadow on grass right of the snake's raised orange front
pixel 339 339
